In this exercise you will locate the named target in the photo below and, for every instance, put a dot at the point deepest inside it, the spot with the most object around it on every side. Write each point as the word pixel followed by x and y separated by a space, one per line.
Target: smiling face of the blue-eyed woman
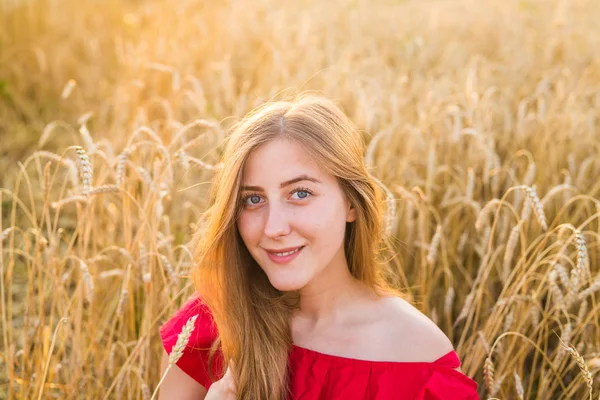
pixel 289 202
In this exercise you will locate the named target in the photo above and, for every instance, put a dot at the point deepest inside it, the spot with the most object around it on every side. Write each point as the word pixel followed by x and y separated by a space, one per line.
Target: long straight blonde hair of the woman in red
pixel 252 317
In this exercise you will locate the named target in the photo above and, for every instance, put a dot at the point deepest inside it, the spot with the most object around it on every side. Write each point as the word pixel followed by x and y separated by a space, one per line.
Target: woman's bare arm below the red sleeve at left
pixel 179 385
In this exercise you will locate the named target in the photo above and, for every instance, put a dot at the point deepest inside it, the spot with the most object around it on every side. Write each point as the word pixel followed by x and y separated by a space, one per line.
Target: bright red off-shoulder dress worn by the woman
pixel 319 376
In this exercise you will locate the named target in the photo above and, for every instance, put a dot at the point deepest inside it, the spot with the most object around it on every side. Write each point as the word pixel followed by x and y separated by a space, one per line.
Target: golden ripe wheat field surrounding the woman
pixel 482 119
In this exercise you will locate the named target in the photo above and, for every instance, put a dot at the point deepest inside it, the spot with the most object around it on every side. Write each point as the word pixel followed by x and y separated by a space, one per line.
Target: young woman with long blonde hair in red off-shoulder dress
pixel 292 291
